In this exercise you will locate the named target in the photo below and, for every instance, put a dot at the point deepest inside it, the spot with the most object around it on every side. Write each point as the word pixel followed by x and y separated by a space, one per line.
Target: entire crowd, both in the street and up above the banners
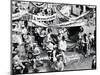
pixel 30 42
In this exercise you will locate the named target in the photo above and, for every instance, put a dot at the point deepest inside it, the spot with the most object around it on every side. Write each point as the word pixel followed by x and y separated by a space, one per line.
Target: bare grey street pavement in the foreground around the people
pixel 75 61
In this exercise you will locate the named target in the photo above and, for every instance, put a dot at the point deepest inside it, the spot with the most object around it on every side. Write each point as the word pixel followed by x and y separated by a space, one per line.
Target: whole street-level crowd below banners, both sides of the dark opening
pixel 32 41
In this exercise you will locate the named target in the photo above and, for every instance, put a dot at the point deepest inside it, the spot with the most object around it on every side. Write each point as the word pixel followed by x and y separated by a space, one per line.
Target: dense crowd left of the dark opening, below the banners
pixel 30 44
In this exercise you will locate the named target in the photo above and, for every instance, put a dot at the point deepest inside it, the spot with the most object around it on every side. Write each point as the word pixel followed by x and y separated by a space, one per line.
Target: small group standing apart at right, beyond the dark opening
pixel 87 43
